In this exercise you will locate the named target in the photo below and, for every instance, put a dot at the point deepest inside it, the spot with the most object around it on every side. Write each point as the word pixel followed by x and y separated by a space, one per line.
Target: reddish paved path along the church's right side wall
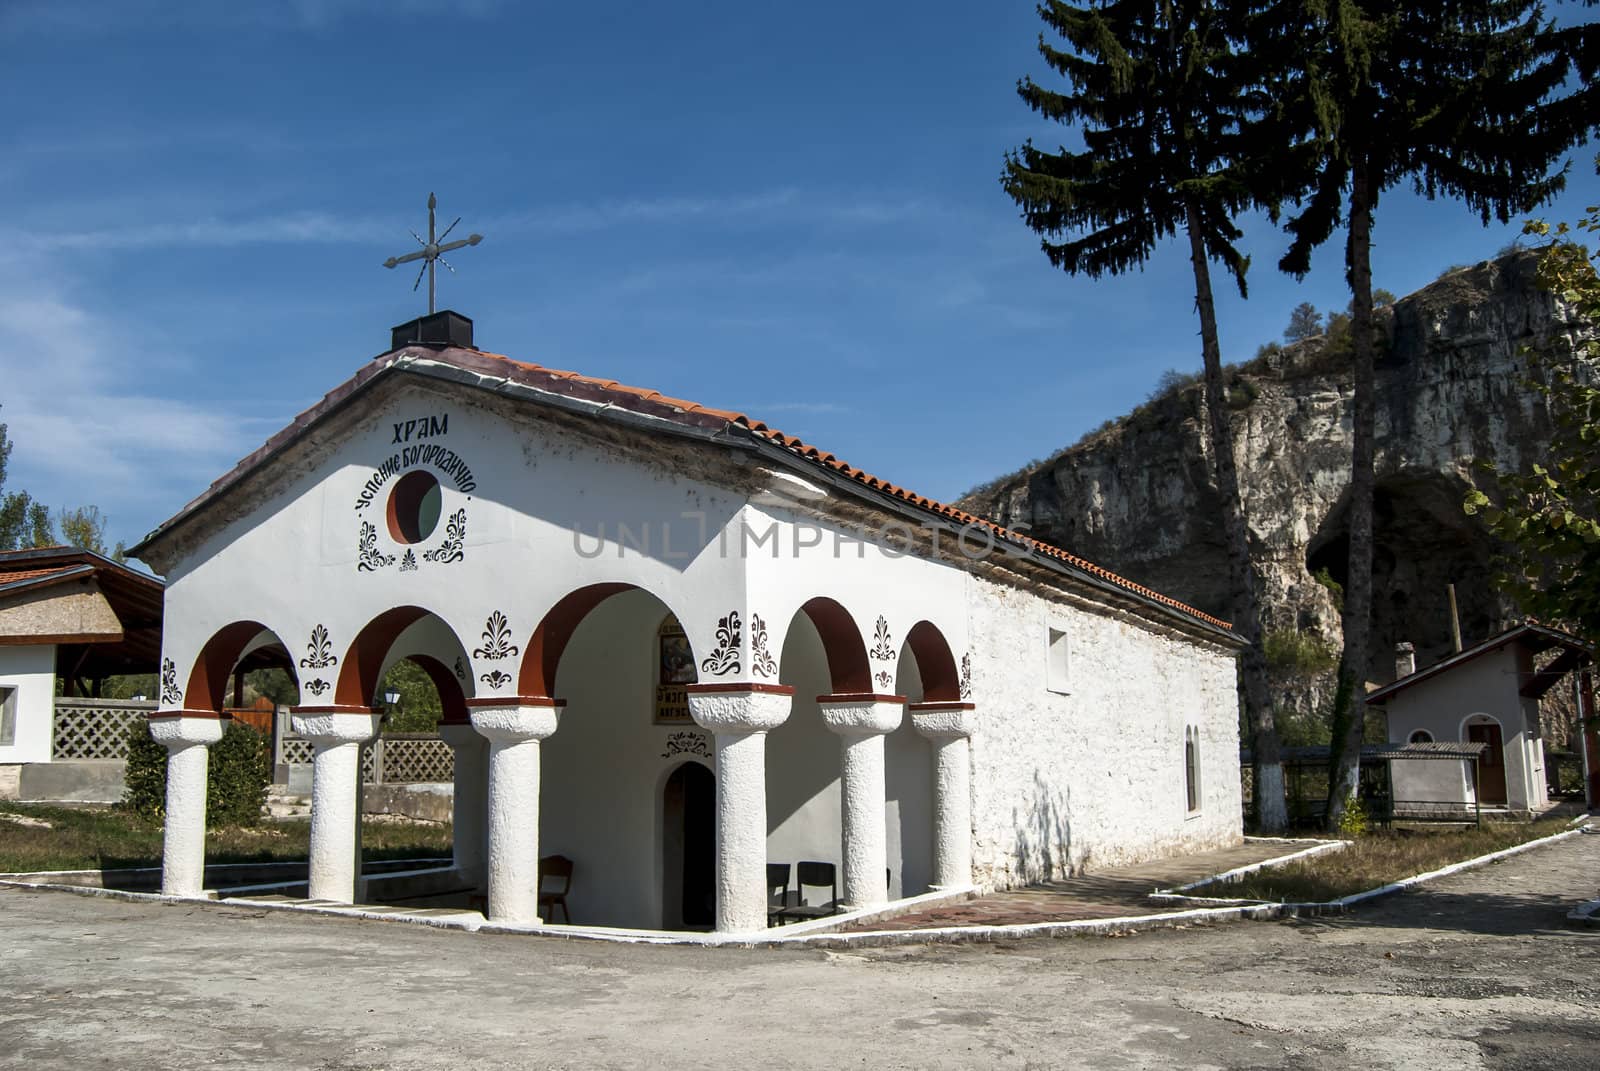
pixel 1110 894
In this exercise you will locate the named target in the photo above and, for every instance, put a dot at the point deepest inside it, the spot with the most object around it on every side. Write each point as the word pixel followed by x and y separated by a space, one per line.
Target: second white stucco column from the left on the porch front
pixel 338 734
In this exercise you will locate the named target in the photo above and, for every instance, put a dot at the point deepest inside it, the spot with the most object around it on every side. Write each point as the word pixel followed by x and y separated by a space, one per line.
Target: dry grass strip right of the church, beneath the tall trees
pixel 1380 859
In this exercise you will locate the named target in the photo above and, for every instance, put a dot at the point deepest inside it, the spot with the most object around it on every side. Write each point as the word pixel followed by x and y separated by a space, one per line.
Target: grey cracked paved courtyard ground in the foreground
pixel 1478 971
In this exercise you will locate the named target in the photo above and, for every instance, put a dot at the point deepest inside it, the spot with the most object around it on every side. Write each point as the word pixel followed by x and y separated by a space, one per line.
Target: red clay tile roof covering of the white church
pixel 660 406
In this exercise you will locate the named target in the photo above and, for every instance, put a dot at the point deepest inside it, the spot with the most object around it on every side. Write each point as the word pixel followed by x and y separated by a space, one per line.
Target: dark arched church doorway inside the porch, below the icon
pixel 689 830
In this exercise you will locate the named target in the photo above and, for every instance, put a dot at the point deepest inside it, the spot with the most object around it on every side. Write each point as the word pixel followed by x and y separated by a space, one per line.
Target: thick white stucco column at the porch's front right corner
pixel 740 716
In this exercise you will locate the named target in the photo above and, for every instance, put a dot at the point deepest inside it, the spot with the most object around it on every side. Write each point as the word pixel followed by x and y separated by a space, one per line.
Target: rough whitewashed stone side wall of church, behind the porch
pixel 1095 777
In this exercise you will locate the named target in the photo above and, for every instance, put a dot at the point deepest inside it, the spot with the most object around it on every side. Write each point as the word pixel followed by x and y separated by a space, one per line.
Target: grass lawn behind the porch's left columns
pixel 84 838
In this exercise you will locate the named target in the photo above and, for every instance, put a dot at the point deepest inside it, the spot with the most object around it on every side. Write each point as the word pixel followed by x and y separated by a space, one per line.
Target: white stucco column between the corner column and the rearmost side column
pixel 862 721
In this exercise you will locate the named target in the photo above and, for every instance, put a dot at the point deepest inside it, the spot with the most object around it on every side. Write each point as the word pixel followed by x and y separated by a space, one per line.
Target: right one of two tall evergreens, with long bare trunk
pixel 1468 100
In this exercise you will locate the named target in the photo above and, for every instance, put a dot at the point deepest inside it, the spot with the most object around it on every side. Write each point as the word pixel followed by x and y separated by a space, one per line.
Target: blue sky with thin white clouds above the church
pixel 788 211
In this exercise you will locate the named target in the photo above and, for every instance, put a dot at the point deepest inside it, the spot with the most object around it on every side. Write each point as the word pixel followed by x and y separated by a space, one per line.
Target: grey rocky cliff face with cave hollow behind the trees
pixel 1138 497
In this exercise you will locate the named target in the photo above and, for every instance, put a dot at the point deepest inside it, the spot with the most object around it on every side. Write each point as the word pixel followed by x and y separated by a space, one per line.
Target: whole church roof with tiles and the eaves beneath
pixel 609 399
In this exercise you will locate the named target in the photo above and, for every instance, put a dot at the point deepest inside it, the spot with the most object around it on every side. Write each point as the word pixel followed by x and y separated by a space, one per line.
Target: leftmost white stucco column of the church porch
pixel 188 737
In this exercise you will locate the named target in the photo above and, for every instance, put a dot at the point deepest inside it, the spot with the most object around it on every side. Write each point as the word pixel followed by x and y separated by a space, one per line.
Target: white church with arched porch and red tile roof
pixel 676 646
